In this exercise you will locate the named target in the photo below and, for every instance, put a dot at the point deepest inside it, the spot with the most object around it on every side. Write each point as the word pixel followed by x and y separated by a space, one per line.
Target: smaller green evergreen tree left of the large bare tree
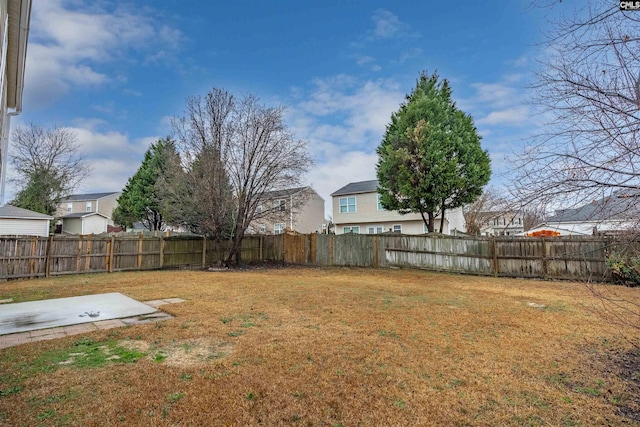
pixel 140 200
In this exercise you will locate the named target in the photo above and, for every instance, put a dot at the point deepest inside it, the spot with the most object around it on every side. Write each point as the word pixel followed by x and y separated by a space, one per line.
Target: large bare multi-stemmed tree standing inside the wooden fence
pixel 249 151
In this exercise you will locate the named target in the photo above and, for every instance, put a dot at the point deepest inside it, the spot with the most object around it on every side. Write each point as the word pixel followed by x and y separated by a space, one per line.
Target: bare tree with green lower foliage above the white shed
pixel 48 166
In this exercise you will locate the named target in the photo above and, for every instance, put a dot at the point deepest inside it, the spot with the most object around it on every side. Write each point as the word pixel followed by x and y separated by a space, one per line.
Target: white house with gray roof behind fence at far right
pixel 615 214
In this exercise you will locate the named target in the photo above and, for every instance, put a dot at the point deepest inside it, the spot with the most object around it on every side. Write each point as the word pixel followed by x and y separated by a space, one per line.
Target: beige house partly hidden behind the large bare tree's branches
pixel 297 209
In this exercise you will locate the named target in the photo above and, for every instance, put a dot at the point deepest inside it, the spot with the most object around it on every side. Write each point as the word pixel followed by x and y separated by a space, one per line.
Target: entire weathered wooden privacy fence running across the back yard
pixel 556 257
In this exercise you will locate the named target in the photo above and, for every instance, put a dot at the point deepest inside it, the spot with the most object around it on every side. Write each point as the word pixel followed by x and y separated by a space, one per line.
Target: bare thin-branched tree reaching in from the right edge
pixel 589 93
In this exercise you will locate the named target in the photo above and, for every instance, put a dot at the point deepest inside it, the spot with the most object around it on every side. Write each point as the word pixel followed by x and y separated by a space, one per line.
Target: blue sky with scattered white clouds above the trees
pixel 116 72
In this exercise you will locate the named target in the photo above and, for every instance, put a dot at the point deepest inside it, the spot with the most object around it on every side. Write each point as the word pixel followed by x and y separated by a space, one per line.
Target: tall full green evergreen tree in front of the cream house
pixel 430 160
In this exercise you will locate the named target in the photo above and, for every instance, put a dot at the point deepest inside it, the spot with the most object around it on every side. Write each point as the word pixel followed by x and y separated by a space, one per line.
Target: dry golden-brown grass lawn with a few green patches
pixel 327 347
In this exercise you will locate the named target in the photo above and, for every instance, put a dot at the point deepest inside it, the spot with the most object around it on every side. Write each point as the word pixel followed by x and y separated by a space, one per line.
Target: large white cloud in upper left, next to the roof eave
pixel 70 46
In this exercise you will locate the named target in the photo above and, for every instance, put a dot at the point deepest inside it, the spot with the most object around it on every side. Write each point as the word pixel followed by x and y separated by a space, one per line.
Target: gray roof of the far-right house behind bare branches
pixel 617 206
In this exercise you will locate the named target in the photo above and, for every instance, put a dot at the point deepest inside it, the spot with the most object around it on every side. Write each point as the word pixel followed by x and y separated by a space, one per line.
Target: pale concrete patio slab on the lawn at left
pixel 35 315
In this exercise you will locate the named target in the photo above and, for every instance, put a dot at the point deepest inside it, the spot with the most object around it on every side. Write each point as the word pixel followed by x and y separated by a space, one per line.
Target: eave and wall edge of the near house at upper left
pixel 14 32
